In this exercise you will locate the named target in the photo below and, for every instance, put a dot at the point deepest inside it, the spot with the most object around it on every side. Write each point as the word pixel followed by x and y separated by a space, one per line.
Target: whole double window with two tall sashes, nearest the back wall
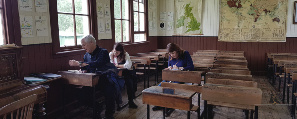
pixel 123 24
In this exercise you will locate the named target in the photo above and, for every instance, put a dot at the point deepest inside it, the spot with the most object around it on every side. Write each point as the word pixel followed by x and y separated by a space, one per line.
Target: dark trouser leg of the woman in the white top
pixel 131 83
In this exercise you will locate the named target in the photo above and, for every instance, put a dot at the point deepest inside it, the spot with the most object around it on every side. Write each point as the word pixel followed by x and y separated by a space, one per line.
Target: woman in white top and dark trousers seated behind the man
pixel 121 59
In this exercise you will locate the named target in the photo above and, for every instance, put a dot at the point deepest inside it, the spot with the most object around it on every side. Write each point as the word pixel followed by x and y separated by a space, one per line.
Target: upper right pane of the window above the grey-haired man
pixel 81 6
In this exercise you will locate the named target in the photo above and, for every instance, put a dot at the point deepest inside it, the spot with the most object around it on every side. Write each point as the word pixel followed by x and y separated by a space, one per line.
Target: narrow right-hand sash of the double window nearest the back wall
pixel 139 21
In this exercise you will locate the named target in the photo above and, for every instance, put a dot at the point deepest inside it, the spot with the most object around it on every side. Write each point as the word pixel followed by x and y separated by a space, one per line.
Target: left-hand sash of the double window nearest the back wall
pixel 121 19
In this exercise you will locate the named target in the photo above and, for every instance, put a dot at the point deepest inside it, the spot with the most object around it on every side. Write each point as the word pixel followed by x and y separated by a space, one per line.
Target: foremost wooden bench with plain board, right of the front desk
pixel 241 97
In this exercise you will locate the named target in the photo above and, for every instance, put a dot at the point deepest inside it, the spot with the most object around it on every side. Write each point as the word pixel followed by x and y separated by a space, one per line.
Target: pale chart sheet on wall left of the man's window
pixel 34 21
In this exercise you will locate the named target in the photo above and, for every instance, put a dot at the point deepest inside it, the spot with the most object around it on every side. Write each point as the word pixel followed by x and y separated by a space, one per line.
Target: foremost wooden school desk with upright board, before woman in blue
pixel 182 97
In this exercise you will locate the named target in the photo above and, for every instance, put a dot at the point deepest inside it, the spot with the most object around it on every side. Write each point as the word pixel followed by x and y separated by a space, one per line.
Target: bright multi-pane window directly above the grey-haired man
pixel 73 21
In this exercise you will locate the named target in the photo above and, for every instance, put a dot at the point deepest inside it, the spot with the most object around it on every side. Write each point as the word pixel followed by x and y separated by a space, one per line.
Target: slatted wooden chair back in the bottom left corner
pixel 19 109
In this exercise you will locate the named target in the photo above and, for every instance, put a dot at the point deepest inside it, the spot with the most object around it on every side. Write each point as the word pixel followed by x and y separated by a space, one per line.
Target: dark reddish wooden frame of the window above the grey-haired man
pixel 74 25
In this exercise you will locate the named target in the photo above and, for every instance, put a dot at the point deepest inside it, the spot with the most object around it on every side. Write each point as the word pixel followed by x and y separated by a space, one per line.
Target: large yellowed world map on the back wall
pixel 253 20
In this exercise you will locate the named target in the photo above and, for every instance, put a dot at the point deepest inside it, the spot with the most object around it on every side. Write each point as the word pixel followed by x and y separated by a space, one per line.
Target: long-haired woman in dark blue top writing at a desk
pixel 179 59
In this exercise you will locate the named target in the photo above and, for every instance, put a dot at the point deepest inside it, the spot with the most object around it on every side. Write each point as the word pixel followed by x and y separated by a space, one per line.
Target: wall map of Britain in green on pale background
pixel 188 17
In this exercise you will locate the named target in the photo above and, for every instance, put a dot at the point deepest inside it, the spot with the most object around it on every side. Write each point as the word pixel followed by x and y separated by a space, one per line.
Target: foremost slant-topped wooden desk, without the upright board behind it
pixel 155 96
